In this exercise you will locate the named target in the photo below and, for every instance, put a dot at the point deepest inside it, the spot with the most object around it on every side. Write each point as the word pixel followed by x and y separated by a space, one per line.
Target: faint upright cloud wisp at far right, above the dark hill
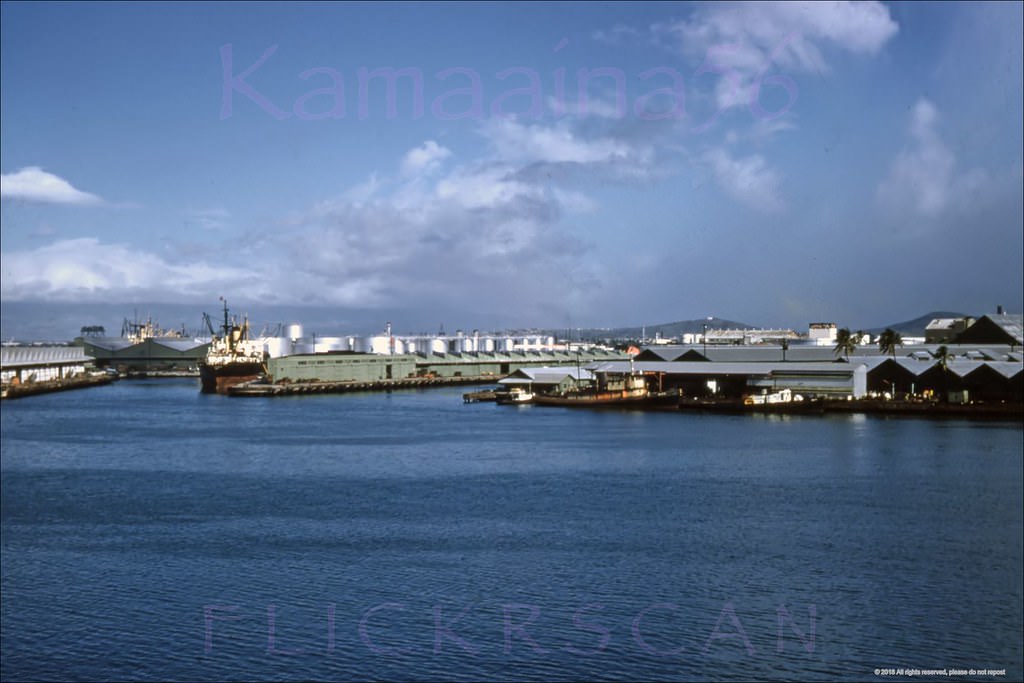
pixel 923 179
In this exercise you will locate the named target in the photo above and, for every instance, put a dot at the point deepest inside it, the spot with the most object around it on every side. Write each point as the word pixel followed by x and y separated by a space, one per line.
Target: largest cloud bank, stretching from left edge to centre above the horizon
pixel 473 237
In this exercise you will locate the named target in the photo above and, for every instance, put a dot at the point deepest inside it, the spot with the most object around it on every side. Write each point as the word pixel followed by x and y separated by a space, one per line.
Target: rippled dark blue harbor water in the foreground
pixel 154 533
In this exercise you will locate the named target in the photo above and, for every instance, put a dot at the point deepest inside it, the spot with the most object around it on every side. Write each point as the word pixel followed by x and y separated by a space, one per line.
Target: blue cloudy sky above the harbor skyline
pixel 510 165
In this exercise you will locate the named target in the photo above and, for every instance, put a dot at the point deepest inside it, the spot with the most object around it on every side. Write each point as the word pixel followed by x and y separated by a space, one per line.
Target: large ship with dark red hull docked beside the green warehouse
pixel 233 358
